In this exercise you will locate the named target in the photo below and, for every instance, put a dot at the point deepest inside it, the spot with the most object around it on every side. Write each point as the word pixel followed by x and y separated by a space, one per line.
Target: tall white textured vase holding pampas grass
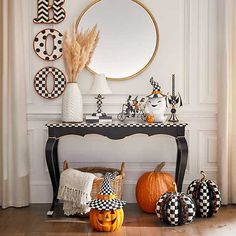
pixel 72 105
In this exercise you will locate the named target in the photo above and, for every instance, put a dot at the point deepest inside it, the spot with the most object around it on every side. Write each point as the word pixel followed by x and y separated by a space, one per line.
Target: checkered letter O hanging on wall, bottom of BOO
pixel 40 82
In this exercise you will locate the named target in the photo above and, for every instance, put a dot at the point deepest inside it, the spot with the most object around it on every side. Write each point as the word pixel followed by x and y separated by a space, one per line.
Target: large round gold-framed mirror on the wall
pixel 128 37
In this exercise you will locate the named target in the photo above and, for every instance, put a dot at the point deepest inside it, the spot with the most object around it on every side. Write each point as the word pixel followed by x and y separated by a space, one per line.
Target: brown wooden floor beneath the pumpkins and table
pixel 32 221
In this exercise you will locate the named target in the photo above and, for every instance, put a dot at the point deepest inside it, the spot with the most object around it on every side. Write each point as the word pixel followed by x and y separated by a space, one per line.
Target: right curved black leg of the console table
pixel 181 162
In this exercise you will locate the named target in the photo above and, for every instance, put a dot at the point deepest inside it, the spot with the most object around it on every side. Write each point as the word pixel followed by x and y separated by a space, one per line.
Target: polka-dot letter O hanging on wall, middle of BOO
pixel 40 44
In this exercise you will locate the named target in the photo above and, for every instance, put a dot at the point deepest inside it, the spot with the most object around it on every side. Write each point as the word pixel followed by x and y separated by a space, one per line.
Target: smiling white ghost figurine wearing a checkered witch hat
pixel 156 103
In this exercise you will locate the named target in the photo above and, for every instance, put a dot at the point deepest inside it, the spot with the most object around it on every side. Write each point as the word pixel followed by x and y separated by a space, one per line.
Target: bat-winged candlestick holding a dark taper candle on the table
pixel 174 101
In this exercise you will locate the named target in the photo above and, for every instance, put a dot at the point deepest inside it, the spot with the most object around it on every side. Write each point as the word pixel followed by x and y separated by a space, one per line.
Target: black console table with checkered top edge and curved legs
pixel 113 131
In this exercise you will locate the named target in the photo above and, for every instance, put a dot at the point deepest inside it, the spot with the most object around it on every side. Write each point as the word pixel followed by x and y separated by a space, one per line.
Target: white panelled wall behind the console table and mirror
pixel 188 48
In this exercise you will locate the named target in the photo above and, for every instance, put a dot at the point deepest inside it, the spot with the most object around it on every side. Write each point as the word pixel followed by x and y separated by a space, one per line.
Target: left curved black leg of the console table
pixel 53 168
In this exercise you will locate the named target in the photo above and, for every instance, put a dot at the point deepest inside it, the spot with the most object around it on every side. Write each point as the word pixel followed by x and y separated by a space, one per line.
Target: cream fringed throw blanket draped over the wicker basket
pixel 75 188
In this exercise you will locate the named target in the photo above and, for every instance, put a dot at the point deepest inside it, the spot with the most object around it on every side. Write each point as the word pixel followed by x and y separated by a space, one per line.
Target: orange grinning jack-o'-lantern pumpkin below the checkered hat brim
pixel 106 220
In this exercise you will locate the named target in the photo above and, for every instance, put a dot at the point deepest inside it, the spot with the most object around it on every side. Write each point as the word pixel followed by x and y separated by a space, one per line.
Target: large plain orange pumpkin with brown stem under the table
pixel 151 185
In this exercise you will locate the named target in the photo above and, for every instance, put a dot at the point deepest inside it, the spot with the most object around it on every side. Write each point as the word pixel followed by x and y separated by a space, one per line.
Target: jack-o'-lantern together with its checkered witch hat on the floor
pixel 106 212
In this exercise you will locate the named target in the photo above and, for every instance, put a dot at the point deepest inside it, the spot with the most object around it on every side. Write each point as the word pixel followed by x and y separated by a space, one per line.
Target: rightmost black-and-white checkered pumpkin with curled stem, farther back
pixel 206 196
